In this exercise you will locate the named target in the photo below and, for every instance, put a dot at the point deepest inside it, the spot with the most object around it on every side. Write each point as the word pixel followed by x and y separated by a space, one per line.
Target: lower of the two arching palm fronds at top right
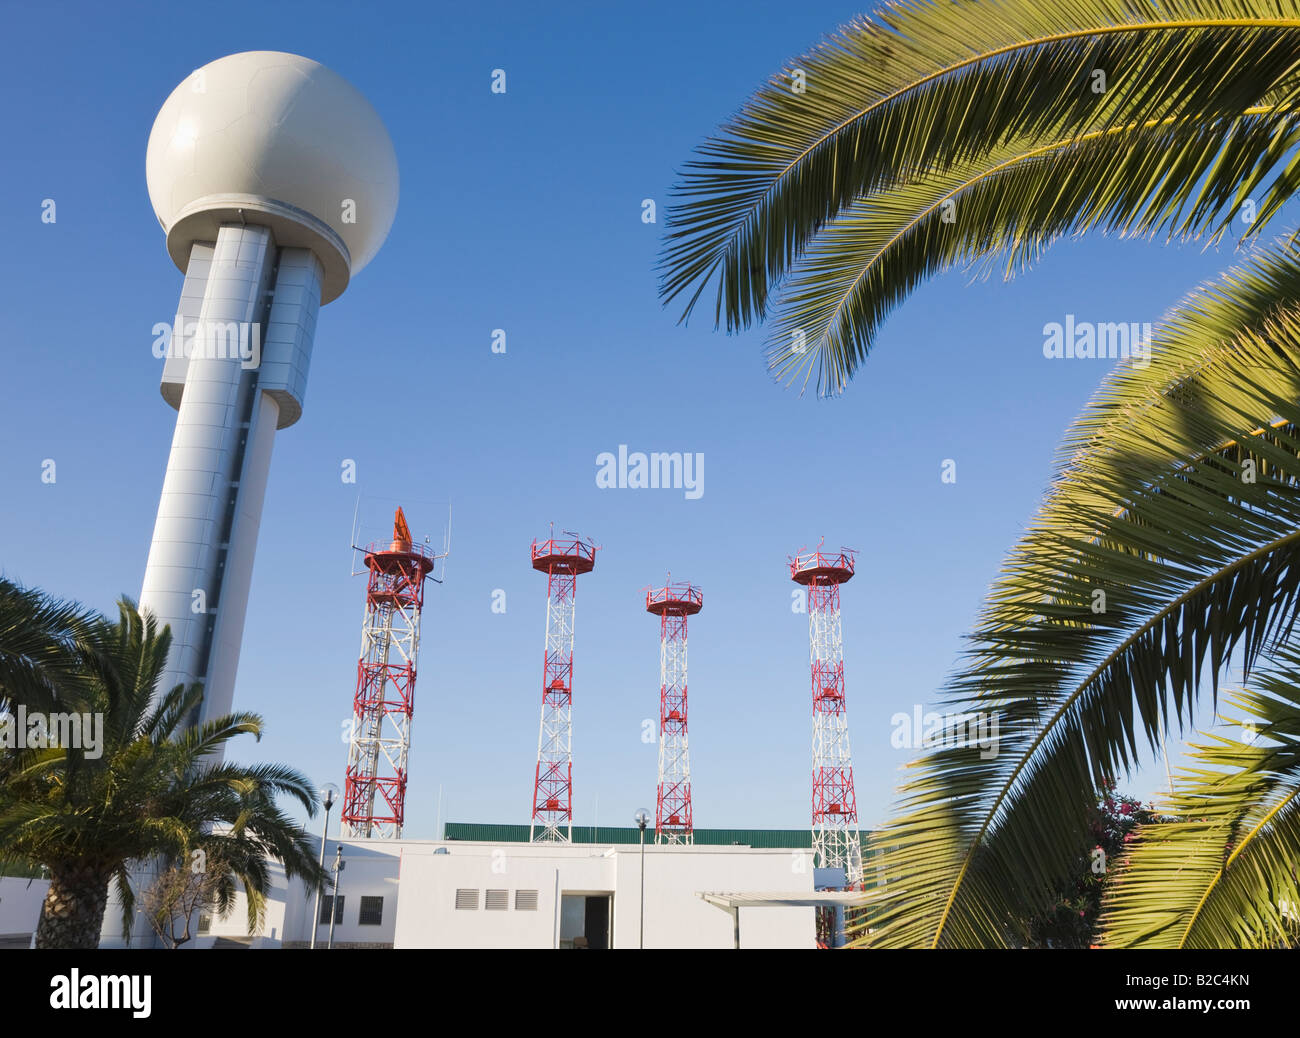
pixel 1015 202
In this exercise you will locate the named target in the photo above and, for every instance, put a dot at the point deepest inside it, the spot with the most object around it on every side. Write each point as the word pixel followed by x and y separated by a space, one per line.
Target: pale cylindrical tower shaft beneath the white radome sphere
pixel 232 390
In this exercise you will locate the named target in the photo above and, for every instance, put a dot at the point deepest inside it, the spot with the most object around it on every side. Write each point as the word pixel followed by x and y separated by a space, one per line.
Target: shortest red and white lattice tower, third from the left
pixel 673 819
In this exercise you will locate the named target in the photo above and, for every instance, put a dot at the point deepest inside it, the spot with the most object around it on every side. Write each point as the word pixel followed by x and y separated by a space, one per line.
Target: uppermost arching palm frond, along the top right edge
pixel 934 85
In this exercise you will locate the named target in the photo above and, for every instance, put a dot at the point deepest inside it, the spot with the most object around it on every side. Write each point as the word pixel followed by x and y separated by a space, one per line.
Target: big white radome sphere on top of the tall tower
pixel 280 140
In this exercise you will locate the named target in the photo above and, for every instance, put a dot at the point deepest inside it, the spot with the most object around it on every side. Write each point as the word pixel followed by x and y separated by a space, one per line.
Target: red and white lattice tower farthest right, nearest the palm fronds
pixel 835 807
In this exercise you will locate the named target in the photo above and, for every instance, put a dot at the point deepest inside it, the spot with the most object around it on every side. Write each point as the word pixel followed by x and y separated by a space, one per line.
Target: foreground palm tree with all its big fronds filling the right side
pixel 1169 543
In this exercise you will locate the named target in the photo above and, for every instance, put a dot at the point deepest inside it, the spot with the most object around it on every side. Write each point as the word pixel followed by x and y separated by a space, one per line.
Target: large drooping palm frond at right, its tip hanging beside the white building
pixel 1195 564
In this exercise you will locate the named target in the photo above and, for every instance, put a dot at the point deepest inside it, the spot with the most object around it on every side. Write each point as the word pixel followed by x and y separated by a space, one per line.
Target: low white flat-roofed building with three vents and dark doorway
pixel 487 894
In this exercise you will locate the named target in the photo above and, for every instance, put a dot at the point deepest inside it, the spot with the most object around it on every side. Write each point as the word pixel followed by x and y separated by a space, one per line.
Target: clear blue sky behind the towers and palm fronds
pixel 523 211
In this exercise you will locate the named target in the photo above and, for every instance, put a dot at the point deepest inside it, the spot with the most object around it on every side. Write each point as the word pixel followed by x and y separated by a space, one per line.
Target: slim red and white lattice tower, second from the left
pixel 553 786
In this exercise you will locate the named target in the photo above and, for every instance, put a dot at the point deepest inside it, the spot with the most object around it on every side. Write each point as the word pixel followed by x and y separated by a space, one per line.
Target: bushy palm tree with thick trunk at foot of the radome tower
pixel 148 792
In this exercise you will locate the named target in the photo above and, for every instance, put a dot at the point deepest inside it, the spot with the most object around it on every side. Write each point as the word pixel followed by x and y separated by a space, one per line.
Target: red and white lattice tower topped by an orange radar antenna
pixel 375 789
